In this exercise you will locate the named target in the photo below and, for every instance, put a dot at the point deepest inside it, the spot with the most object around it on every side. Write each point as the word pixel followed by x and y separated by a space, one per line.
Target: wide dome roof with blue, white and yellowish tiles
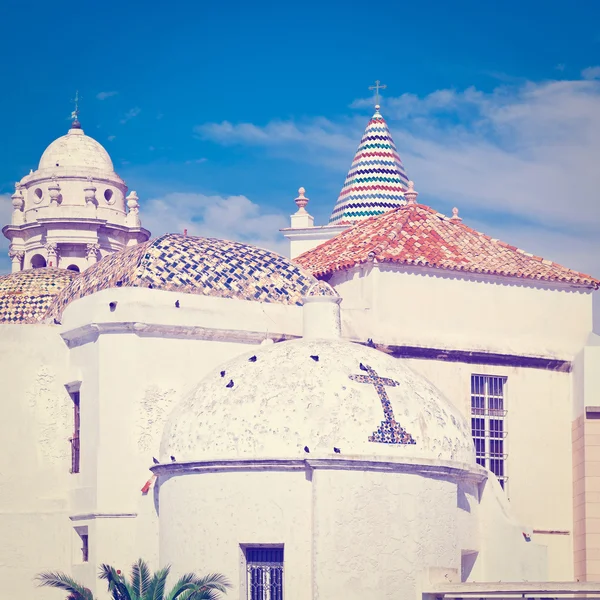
pixel 195 265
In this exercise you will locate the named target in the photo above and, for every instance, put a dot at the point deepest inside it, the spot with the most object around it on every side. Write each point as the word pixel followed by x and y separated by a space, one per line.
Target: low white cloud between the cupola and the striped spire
pixel 234 217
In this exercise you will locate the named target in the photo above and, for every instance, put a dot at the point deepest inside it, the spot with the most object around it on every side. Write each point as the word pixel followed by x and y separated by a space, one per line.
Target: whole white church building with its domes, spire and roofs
pixel 404 409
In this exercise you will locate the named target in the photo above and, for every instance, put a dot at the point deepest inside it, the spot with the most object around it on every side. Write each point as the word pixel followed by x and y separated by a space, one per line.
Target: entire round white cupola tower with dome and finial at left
pixel 72 210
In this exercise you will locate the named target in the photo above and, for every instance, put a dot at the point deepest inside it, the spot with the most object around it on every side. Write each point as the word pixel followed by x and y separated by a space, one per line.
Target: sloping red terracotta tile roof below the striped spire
pixel 417 235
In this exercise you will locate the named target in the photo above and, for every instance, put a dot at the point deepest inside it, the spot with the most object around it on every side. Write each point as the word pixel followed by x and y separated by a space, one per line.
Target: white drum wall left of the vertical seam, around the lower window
pixel 204 518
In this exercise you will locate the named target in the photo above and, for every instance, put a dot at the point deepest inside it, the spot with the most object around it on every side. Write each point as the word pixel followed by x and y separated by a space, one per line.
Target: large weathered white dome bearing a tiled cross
pixel 281 399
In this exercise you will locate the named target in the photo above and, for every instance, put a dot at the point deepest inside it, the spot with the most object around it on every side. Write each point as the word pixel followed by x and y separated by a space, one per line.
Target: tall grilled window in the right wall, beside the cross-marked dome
pixel 488 415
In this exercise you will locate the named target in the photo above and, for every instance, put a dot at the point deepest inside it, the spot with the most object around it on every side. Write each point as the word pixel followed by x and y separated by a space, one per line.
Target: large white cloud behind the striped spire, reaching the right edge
pixel 525 153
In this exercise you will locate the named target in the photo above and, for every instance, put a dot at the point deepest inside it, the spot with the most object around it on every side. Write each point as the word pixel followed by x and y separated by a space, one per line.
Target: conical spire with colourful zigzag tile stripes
pixel 376 182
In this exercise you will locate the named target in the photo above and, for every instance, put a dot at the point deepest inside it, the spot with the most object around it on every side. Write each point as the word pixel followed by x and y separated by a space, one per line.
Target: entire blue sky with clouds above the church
pixel 215 113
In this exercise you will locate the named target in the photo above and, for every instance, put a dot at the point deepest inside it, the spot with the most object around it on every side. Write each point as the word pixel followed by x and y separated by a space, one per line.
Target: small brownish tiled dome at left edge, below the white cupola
pixel 25 296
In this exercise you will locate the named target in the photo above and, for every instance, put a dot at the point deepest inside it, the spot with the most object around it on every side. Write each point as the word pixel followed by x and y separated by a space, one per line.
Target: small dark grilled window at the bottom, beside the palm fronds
pixel 264 568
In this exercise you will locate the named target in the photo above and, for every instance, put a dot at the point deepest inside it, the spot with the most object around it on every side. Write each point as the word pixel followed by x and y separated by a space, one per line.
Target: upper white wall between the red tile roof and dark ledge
pixel 427 308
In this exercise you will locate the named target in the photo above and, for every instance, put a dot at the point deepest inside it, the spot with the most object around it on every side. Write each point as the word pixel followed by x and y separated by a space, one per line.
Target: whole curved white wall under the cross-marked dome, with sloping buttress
pixel 348 534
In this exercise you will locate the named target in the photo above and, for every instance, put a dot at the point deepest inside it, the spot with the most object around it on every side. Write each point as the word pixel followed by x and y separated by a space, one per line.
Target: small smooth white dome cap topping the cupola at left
pixel 76 150
